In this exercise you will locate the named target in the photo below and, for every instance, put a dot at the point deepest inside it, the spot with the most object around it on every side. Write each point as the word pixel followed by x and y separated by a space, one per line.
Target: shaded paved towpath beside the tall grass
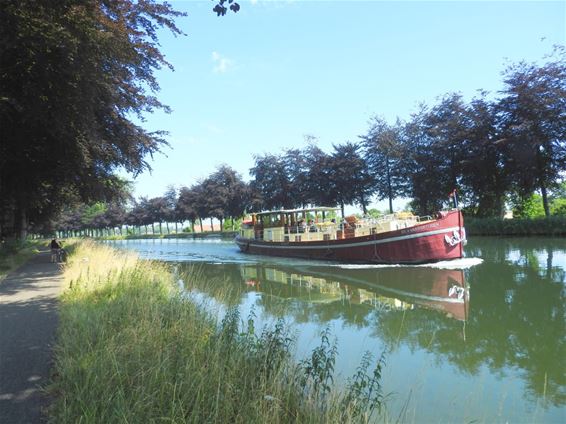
pixel 28 320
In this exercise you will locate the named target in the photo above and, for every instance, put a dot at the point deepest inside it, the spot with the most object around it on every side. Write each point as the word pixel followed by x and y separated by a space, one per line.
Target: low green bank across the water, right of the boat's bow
pixel 553 226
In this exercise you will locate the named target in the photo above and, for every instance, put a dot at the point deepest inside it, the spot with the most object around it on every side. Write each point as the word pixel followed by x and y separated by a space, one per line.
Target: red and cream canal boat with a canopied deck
pixel 318 233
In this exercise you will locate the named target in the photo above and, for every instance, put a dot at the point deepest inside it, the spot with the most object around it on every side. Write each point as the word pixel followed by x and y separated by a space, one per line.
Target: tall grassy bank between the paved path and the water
pixel 132 348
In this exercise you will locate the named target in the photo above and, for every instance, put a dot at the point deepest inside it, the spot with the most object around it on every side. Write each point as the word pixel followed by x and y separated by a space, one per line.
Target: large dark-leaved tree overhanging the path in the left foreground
pixel 72 75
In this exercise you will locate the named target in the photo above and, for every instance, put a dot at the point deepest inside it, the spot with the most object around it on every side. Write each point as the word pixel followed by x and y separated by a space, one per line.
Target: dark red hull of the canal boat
pixel 433 241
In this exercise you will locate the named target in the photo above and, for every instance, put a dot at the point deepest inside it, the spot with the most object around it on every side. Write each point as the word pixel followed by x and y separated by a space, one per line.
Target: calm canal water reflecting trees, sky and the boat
pixel 481 339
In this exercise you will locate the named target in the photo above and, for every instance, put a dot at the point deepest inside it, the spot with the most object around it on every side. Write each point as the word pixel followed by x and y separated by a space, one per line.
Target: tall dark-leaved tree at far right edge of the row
pixel 534 124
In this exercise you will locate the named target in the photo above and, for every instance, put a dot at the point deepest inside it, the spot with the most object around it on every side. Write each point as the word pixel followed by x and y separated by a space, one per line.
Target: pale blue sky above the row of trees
pixel 258 81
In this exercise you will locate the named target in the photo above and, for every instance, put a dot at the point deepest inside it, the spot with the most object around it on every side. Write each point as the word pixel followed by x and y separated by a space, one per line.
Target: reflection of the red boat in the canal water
pixel 400 288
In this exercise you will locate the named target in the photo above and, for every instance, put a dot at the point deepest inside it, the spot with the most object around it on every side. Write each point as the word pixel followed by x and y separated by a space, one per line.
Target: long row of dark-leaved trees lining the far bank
pixel 504 151
